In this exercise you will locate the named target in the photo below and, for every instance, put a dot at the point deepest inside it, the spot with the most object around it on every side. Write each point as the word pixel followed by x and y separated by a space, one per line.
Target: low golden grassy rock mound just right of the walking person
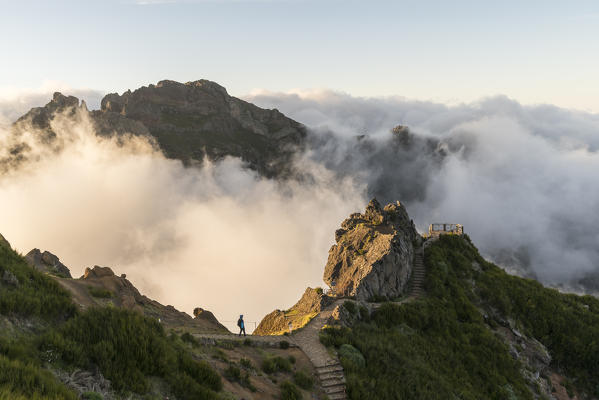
pixel 277 322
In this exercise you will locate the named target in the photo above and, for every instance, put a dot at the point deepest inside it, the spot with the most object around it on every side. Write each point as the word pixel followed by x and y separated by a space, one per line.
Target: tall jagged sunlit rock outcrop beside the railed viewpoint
pixel 373 255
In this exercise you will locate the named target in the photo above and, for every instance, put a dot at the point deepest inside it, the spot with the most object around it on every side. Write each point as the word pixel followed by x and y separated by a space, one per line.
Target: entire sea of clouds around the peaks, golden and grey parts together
pixel 521 179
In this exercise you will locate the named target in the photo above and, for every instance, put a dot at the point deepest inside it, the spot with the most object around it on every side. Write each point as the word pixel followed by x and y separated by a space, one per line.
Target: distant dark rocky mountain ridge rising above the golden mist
pixel 188 121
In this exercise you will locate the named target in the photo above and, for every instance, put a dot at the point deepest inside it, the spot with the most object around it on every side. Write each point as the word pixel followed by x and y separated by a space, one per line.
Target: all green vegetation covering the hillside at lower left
pixel 126 346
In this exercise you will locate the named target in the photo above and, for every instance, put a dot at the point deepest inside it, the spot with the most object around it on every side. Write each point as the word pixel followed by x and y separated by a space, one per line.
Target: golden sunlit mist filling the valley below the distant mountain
pixel 216 236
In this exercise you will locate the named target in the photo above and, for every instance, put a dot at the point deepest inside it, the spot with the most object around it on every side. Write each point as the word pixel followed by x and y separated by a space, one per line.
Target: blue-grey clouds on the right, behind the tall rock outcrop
pixel 522 179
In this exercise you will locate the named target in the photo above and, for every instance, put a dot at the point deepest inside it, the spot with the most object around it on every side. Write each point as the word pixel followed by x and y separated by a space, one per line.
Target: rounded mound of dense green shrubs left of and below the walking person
pixel 127 347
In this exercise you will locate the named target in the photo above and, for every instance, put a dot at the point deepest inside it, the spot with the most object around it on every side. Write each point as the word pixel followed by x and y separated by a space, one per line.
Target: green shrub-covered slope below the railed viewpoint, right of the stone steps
pixel 442 347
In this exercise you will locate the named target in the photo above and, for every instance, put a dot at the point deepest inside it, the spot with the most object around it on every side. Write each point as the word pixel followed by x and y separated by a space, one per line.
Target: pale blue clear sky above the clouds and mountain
pixel 449 51
